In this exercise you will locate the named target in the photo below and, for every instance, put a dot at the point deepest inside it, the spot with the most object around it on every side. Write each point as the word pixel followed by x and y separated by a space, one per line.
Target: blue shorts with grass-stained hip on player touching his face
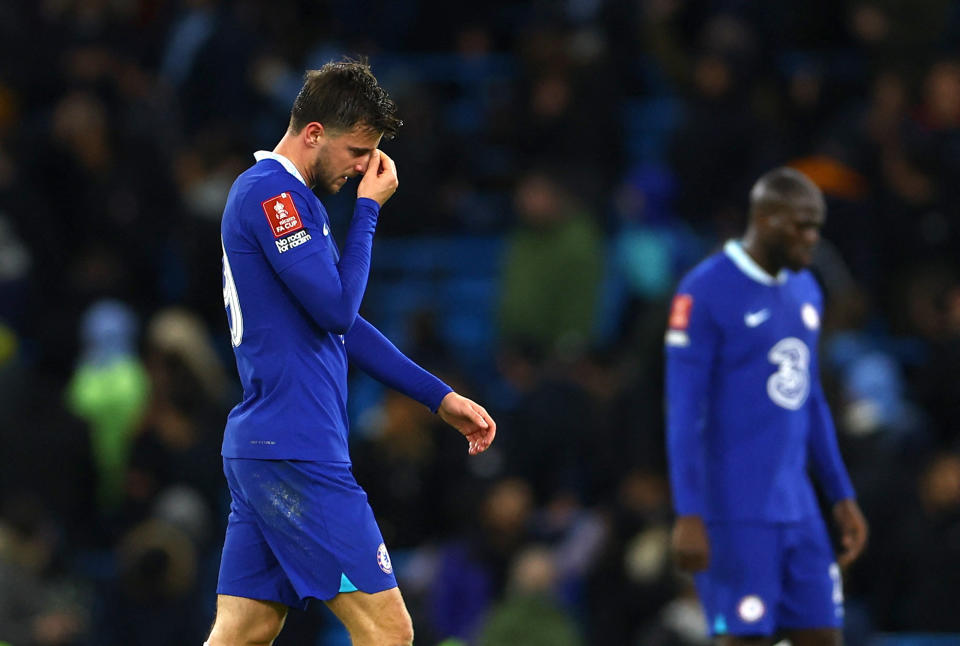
pixel 299 530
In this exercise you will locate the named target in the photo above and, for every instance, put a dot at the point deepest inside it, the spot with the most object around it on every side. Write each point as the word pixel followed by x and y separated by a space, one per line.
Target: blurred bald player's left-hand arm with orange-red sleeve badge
pixel 691 342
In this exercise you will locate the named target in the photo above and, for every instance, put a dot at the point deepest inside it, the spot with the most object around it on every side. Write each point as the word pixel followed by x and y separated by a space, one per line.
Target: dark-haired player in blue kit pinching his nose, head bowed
pixel 300 526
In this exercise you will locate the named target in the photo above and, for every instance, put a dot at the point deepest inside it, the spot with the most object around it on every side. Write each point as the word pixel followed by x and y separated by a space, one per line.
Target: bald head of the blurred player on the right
pixel 787 211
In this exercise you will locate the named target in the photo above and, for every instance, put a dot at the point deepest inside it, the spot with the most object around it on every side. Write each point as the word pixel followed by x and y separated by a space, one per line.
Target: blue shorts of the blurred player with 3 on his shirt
pixel 768 577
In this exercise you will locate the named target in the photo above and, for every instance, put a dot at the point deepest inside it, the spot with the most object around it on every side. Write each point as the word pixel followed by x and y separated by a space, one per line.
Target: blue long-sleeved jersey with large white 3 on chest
pixel 746 414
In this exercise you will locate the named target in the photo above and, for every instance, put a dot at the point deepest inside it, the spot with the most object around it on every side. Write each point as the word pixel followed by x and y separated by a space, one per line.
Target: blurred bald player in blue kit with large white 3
pixel 746 417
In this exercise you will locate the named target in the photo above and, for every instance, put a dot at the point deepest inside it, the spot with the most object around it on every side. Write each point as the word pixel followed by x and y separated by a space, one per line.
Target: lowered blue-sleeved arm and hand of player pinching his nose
pixel 373 353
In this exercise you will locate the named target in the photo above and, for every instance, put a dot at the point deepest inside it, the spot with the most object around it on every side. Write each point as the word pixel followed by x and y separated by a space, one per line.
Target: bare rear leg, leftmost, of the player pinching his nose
pixel 246 621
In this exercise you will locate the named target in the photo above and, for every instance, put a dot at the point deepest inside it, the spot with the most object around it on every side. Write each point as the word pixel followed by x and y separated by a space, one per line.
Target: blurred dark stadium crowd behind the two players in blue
pixel 562 164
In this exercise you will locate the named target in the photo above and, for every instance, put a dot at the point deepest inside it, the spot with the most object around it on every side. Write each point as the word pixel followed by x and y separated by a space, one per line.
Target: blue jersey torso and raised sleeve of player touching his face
pixel 293 370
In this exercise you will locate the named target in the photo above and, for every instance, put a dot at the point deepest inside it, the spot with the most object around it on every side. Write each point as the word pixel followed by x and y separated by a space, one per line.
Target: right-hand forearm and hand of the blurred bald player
pixel 828 467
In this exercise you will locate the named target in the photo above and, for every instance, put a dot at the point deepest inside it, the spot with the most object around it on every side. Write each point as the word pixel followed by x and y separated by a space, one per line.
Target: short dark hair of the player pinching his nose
pixel 344 95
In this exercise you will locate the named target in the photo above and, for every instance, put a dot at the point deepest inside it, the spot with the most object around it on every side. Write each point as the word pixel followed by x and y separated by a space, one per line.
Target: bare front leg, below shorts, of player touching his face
pixel 381 617
